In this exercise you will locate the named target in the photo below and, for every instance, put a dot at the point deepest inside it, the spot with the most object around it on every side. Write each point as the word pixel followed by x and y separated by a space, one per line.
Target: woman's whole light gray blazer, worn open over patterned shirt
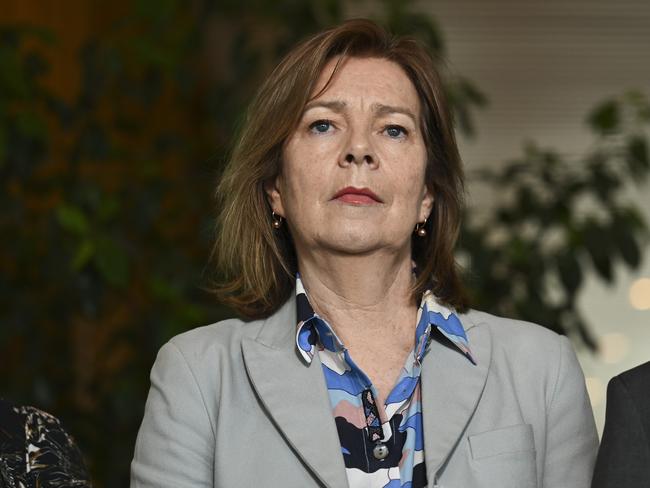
pixel 233 405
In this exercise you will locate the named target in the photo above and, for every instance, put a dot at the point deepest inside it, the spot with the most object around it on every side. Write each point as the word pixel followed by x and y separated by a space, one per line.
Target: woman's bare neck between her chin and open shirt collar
pixel 374 290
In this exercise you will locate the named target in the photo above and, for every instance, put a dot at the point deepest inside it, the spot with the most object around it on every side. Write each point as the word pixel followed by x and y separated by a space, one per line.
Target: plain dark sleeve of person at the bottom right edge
pixel 624 456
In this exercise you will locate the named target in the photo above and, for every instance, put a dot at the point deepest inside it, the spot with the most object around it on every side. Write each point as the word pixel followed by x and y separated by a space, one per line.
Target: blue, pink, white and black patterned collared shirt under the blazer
pixel 361 424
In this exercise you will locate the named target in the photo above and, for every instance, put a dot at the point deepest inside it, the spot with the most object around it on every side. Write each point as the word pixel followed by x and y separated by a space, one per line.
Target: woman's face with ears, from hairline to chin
pixel 352 176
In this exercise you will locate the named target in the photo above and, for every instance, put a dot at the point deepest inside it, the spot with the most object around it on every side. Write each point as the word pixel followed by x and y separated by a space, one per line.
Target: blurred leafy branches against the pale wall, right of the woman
pixel 558 219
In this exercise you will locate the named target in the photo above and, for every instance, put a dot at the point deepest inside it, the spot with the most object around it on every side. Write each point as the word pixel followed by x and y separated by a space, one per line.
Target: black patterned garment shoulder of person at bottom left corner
pixel 36 452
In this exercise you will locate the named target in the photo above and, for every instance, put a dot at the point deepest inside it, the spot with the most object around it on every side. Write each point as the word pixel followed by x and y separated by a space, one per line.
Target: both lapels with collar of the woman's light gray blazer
pixel 295 393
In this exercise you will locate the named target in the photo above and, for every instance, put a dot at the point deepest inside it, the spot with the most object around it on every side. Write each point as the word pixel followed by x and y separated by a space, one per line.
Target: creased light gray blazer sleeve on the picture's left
pixel 175 443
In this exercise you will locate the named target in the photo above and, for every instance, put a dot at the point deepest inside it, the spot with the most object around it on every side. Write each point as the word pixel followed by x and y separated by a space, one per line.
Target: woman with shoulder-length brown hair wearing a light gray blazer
pixel 363 365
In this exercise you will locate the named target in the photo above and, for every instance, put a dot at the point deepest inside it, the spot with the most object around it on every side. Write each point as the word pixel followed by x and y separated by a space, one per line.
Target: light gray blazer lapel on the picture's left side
pixel 295 395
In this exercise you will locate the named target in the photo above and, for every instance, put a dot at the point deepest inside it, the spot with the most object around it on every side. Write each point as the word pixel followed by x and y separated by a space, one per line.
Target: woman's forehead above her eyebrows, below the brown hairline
pixel 375 80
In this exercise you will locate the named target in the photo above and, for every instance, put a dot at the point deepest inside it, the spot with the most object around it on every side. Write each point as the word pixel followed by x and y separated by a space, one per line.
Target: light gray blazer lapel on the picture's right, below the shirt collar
pixel 451 389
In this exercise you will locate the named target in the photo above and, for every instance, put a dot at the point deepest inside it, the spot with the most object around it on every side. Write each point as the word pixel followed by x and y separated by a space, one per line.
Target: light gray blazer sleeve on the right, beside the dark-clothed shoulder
pixel 572 440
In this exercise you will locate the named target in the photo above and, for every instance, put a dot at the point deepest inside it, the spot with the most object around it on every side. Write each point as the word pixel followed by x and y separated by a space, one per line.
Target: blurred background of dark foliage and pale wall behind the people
pixel 116 118
